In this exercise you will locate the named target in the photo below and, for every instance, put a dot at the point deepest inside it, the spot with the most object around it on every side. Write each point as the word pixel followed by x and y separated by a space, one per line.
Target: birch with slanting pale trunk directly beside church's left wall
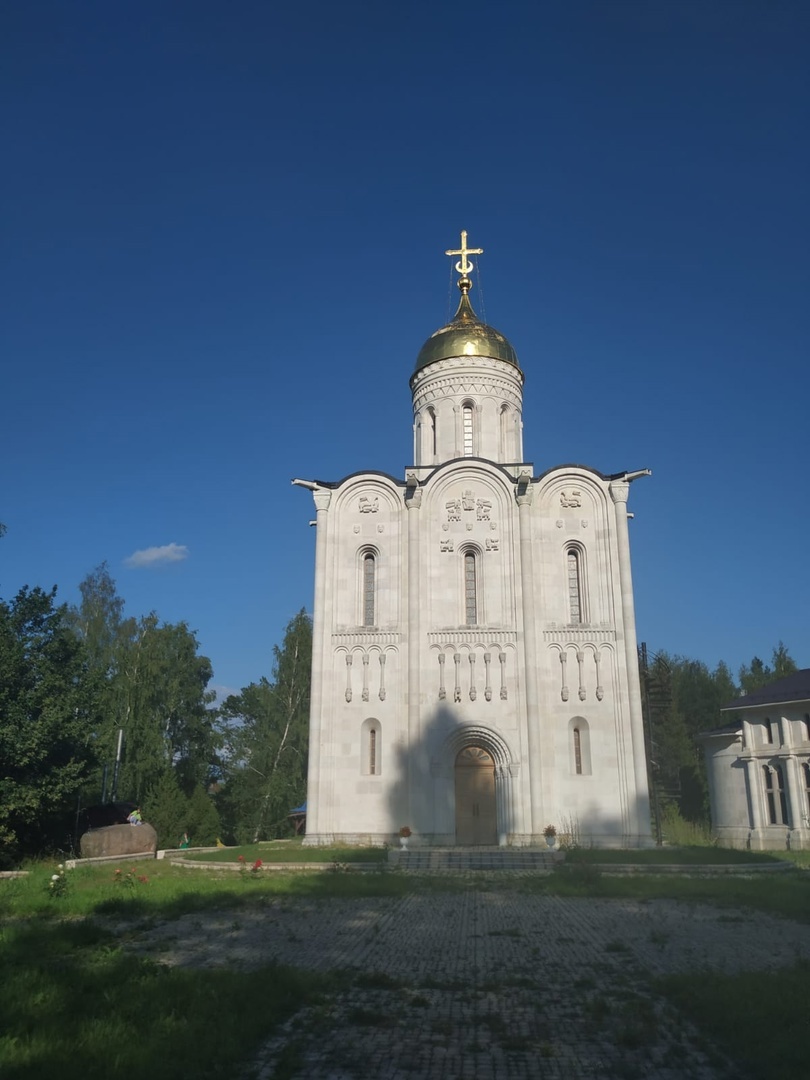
pixel 267 727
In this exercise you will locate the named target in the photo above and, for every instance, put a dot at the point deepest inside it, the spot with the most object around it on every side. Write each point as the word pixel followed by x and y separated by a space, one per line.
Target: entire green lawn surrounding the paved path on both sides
pixel 77 1005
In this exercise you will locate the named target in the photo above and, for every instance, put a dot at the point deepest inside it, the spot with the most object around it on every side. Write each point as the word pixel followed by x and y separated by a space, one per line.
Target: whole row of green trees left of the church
pixel 73 678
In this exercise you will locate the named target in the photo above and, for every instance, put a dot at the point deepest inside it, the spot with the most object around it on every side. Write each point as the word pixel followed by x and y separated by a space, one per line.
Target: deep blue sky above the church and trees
pixel 224 235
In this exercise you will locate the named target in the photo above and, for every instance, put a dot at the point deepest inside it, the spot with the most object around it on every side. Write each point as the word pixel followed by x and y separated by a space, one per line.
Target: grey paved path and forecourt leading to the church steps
pixel 487 983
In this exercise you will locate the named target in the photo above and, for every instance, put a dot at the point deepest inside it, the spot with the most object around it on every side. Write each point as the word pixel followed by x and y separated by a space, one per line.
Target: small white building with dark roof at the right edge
pixel 760 768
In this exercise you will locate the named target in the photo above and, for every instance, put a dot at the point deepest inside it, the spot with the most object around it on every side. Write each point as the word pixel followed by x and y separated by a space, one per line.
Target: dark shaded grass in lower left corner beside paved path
pixel 78 1007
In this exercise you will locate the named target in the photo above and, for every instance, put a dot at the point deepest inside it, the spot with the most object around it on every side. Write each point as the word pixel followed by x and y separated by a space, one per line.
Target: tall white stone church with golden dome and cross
pixel 475 672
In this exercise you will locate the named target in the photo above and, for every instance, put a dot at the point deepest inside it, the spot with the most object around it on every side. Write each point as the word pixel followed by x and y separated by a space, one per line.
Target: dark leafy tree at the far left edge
pixel 48 719
